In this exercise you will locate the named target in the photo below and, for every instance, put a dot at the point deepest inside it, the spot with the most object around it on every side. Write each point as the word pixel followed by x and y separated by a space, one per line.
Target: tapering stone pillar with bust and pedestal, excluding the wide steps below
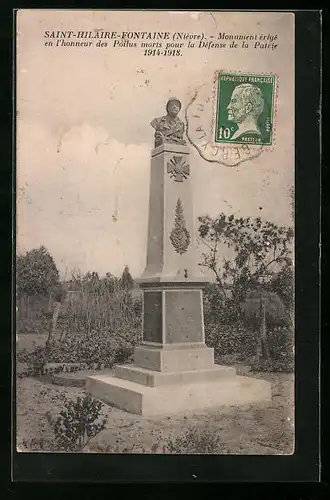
pixel 173 326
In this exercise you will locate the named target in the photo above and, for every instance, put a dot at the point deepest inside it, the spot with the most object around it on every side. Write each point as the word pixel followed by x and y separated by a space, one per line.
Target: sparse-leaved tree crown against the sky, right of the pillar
pixel 260 250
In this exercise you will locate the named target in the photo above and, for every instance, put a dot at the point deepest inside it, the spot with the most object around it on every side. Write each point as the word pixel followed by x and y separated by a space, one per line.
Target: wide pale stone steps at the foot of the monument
pixel 181 393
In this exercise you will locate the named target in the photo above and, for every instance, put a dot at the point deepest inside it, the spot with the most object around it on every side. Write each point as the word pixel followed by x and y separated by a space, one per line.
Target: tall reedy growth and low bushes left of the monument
pixel 97 321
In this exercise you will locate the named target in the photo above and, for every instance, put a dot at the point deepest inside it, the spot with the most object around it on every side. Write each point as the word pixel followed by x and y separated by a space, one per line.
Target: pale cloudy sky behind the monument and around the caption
pixel 84 137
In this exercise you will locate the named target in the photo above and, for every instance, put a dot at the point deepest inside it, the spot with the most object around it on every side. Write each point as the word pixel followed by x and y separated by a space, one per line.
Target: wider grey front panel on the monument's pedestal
pixel 183 317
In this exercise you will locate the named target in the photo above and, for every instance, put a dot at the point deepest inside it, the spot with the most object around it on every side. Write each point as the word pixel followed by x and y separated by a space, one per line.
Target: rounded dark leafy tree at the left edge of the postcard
pixel 36 272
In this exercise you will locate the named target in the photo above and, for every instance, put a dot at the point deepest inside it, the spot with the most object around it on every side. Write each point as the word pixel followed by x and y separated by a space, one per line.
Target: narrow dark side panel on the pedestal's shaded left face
pixel 152 316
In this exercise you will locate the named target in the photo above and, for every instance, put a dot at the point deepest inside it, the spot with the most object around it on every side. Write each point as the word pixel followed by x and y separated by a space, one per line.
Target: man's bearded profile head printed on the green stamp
pixel 246 101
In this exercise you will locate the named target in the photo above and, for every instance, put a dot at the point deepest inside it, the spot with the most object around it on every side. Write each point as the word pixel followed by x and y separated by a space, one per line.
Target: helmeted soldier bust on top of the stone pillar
pixel 169 128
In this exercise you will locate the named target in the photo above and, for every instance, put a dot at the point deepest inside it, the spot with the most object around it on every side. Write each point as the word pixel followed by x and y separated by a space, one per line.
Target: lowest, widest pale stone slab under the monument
pixel 177 397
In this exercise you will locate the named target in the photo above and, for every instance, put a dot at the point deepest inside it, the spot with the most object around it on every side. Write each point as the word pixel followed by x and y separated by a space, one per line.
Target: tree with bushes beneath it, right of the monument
pixel 249 308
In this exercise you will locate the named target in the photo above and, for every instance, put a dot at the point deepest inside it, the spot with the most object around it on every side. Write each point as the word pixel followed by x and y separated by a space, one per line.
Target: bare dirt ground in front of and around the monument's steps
pixel 262 429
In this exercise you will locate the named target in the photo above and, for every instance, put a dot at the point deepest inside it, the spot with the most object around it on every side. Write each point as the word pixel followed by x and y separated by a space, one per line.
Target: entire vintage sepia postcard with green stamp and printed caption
pixel 155 232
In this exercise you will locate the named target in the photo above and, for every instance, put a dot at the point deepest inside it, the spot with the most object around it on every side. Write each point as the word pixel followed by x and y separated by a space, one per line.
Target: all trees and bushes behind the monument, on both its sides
pixel 248 308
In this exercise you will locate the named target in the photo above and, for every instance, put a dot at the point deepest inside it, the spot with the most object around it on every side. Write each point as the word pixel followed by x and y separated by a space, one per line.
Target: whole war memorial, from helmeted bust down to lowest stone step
pixel 173 368
